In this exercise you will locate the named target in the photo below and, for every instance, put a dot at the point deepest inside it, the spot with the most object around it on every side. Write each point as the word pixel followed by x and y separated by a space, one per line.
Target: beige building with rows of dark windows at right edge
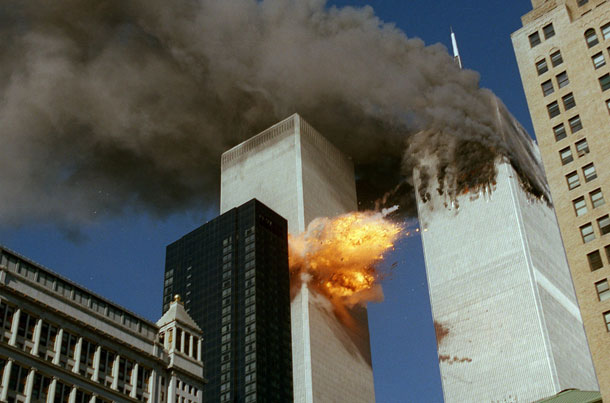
pixel 564 60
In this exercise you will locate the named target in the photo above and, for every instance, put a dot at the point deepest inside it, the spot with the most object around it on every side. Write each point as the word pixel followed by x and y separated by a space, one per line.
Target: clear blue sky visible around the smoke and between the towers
pixel 122 258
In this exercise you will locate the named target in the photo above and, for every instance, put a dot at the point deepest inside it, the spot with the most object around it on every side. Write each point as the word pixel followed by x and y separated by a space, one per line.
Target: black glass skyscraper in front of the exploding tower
pixel 232 274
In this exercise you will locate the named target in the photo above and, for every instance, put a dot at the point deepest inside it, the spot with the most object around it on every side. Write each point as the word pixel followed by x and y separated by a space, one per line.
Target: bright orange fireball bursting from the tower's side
pixel 338 256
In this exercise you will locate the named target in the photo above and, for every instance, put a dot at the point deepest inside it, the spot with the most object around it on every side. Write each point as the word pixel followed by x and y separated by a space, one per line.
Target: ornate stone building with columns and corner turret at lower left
pixel 61 342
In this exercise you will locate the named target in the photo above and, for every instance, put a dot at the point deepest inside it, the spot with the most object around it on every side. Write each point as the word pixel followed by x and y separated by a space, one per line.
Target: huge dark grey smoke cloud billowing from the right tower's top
pixel 113 105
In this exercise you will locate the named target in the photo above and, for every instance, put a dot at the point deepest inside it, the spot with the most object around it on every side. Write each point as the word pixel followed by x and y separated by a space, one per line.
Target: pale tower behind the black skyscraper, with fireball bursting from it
pixel 296 172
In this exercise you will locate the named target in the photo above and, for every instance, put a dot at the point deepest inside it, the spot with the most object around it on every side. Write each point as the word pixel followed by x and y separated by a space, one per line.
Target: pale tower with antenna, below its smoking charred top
pixel 508 324
